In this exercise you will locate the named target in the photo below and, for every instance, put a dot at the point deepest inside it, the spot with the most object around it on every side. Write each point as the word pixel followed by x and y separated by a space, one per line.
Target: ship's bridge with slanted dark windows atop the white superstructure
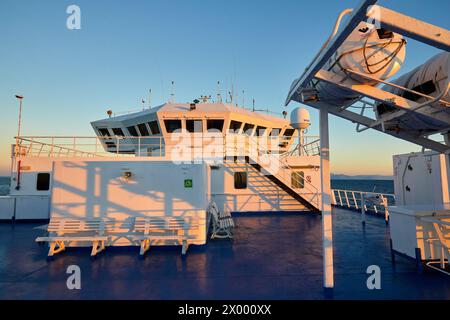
pixel 150 131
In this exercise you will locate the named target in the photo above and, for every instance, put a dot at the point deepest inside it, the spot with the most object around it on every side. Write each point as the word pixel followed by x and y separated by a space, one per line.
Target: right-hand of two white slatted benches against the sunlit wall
pixel 151 229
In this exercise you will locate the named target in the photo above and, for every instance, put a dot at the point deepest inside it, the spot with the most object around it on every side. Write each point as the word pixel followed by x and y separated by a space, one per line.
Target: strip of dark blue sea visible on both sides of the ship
pixel 382 186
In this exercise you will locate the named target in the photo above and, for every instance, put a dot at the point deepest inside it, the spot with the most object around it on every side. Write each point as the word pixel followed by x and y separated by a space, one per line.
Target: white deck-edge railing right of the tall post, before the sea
pixel 375 202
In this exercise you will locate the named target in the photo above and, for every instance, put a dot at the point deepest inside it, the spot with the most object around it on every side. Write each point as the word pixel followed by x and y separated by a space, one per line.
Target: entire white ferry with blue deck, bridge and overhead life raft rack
pixel 211 200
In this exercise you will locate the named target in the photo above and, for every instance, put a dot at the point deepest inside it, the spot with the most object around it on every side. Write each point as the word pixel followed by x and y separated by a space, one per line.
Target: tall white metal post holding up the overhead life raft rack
pixel 327 222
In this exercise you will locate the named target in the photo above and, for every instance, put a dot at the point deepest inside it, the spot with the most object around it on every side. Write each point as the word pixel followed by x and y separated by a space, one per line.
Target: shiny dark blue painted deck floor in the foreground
pixel 271 257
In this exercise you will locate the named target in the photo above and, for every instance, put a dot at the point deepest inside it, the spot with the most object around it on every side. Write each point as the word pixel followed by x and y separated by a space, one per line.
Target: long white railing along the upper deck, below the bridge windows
pixel 155 146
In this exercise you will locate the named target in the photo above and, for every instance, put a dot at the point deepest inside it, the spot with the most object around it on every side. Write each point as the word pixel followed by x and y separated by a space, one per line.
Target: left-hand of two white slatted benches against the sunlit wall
pixel 64 230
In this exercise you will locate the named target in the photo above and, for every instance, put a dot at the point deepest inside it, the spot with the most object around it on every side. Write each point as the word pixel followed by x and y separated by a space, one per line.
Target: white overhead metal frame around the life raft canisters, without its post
pixel 399 23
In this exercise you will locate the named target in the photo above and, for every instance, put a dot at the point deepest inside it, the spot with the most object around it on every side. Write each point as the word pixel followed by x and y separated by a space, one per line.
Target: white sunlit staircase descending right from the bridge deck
pixel 274 167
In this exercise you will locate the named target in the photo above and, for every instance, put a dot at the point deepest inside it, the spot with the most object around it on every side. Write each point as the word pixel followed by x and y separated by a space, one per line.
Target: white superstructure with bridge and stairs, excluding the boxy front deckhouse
pixel 259 148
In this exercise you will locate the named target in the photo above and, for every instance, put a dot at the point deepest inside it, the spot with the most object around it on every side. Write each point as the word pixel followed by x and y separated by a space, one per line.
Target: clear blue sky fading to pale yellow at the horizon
pixel 71 77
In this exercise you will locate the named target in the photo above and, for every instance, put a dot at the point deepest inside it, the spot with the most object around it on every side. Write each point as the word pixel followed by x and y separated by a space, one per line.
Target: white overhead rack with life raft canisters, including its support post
pixel 341 77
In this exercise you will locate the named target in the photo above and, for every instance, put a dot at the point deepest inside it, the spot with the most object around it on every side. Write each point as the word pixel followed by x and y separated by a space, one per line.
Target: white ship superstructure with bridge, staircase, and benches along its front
pixel 148 177
